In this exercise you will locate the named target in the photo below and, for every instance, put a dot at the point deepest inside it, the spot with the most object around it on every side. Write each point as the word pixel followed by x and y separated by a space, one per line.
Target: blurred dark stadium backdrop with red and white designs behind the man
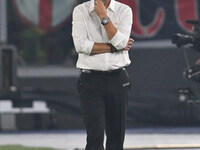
pixel 38 75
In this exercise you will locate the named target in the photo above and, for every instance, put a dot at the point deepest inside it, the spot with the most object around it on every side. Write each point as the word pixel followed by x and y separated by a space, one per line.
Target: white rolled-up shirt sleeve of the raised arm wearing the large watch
pixel 120 39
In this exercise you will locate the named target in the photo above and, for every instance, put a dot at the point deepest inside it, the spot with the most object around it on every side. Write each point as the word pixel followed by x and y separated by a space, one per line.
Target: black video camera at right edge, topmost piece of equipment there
pixel 194 39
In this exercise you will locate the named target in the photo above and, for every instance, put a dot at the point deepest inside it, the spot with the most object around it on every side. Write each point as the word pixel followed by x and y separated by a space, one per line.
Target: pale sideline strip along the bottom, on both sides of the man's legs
pixel 136 138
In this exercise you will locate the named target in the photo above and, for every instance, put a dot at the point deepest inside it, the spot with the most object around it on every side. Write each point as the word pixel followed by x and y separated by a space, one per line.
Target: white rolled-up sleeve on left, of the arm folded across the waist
pixel 79 33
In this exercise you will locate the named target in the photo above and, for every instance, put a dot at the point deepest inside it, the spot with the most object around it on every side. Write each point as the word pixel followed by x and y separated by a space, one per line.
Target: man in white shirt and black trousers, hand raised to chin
pixel 101 30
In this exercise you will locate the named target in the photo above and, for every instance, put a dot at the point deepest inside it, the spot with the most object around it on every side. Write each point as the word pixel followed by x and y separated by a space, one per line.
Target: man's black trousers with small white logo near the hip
pixel 104 99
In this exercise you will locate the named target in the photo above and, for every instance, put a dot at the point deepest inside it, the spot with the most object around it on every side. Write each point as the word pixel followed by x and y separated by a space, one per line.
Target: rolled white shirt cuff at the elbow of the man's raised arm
pixel 117 41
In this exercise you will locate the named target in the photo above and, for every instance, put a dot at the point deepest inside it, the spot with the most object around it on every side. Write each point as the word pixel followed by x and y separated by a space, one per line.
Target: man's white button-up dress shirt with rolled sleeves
pixel 87 29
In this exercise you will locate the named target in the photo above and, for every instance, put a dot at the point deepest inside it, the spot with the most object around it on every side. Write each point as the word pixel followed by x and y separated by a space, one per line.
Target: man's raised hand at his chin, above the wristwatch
pixel 100 9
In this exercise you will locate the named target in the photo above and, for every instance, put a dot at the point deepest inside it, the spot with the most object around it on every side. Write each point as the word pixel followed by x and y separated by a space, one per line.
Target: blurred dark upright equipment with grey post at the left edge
pixel 8 82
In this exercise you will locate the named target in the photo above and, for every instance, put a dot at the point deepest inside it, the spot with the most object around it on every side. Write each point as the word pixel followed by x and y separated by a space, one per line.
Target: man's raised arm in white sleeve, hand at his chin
pixel 119 37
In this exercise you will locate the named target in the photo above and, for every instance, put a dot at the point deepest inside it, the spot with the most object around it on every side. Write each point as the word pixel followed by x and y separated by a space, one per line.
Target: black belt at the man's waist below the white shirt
pixel 102 72
